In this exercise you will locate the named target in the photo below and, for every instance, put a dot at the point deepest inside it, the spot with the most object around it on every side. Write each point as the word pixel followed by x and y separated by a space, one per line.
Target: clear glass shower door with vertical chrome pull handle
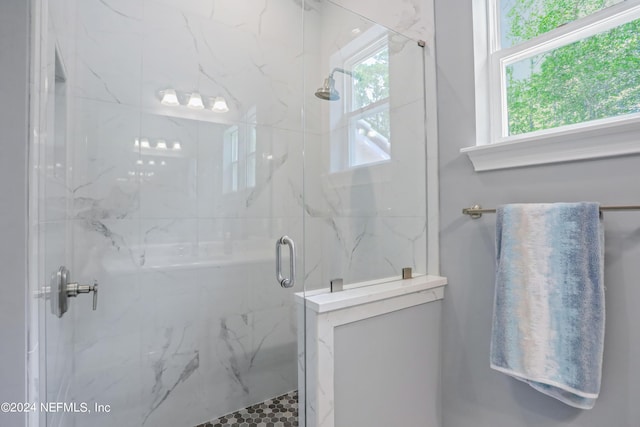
pixel 178 130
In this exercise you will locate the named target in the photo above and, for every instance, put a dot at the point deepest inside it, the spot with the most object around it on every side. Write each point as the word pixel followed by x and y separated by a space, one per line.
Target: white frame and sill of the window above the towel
pixel 495 149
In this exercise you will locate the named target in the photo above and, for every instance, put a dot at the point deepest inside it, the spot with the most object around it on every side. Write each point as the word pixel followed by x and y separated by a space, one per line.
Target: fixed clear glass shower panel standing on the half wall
pixel 365 181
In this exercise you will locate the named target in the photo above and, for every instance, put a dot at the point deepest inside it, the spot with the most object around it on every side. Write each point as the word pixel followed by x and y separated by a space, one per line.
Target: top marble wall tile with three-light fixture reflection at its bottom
pixel 183 50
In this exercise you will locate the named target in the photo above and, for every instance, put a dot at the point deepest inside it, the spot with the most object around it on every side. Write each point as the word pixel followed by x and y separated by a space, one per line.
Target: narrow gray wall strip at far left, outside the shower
pixel 14 74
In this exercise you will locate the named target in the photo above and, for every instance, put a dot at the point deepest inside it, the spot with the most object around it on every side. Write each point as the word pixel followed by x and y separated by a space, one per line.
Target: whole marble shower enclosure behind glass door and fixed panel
pixel 174 143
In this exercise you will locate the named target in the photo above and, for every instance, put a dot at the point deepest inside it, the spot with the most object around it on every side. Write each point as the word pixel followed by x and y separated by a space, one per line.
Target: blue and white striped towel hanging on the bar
pixel 549 314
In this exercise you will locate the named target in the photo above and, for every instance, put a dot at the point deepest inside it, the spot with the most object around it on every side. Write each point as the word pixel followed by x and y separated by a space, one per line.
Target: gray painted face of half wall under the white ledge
pixel 387 369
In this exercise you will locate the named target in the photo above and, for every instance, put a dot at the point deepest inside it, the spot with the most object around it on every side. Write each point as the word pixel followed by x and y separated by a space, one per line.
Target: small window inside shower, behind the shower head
pixel 365 117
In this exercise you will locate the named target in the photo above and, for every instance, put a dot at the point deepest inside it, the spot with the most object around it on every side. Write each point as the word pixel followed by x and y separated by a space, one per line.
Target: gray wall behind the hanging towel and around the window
pixel 473 394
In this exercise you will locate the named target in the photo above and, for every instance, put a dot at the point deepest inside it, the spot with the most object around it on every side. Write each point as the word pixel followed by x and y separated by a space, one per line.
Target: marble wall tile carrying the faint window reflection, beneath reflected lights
pixel 276 169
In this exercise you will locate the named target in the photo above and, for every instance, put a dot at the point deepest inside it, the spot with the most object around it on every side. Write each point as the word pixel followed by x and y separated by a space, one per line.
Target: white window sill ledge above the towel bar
pixel 571 143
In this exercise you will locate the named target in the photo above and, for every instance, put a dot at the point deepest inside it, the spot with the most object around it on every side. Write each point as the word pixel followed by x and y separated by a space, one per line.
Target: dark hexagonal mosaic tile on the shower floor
pixel 281 411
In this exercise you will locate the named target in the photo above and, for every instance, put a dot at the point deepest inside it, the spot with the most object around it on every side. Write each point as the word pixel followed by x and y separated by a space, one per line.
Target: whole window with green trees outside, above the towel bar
pixel 559 74
